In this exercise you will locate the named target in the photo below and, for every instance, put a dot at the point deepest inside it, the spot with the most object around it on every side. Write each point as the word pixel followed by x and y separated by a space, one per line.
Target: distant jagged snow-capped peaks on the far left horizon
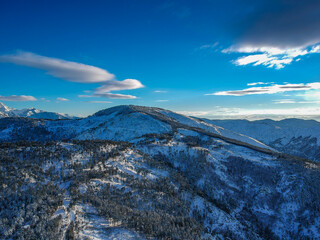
pixel 6 111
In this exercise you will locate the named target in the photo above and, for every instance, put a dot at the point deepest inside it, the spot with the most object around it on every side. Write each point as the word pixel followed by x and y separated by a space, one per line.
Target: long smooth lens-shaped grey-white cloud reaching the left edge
pixel 70 71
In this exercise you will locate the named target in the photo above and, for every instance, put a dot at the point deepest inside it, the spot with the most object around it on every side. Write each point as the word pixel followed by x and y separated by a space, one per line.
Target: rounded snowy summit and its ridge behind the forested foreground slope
pixel 126 123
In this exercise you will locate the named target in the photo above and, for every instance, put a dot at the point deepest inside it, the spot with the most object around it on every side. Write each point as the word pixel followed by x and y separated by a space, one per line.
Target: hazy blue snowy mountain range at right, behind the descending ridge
pixel 293 136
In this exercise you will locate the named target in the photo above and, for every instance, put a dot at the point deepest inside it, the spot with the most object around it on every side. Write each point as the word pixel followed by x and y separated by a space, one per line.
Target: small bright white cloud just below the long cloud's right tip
pixel 119 85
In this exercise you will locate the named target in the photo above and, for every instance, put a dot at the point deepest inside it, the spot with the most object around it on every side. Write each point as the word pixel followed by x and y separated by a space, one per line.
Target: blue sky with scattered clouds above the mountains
pixel 205 58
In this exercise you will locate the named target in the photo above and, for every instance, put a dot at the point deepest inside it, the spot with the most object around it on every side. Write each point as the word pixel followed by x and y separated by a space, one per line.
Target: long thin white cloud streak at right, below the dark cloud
pixel 270 89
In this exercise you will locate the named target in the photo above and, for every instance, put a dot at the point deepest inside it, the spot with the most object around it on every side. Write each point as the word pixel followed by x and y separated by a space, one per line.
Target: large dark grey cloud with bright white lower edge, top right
pixel 278 33
